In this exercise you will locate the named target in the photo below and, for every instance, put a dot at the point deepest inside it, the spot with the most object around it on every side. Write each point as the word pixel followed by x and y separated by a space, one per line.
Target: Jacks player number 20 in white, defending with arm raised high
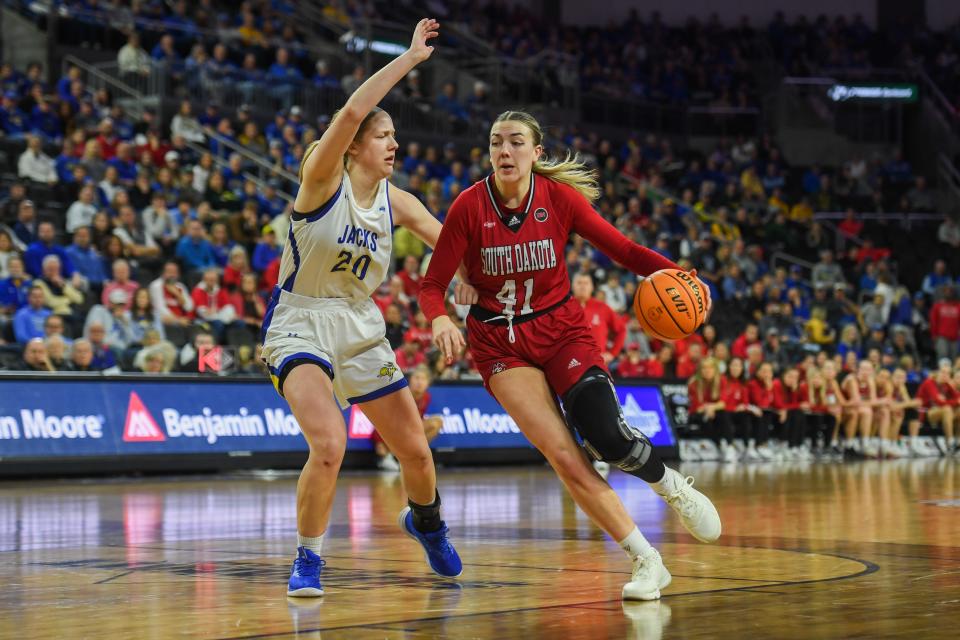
pixel 323 336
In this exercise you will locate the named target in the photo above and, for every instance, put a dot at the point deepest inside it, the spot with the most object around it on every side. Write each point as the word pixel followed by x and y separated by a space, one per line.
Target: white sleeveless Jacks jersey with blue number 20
pixel 340 250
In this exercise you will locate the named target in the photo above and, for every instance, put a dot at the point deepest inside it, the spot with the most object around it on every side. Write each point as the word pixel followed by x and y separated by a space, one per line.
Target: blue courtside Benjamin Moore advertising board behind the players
pixel 75 418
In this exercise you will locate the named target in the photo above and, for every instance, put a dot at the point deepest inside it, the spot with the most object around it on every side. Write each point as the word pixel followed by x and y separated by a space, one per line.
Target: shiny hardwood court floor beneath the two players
pixel 868 550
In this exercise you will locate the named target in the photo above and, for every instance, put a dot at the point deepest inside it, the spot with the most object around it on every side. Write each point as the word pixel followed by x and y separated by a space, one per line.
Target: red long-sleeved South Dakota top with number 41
pixel 515 258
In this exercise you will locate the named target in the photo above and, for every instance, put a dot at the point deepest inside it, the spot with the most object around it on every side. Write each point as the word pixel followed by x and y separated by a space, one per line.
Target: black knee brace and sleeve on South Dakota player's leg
pixel 592 408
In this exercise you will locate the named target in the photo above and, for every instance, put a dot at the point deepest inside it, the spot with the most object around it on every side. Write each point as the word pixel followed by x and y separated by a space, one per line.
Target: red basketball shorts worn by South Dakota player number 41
pixel 559 343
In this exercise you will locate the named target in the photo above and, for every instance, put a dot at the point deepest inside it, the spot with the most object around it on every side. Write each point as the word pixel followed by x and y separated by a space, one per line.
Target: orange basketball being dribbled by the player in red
pixel 669 305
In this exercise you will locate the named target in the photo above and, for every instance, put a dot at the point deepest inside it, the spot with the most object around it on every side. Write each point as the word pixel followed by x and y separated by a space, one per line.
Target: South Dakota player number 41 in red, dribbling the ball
pixel 531 341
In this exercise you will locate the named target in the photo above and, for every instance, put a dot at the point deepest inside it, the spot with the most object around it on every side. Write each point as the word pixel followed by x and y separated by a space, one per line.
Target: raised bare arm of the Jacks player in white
pixel 324 164
